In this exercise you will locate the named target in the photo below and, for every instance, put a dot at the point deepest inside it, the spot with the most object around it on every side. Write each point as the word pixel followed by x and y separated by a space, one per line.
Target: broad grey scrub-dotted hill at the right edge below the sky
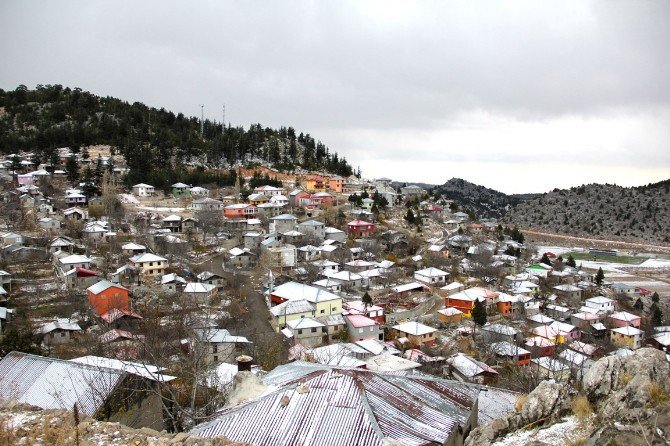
pixel 607 210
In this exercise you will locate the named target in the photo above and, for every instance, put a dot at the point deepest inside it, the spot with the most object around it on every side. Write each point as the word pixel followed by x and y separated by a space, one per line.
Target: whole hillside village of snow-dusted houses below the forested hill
pixel 211 309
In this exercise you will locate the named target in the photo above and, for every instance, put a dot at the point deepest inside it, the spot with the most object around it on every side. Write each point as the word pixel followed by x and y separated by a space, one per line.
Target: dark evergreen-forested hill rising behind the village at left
pixel 53 116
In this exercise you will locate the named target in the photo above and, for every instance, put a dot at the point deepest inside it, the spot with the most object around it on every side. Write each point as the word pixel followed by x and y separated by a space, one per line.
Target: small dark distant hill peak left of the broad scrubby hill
pixel 484 202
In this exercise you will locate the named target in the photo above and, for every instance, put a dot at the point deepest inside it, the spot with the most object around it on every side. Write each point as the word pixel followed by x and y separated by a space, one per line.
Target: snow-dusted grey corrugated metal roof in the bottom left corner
pixel 54 384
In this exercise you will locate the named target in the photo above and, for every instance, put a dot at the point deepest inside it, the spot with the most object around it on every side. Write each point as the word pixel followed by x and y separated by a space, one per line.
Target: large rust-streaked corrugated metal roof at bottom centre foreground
pixel 319 405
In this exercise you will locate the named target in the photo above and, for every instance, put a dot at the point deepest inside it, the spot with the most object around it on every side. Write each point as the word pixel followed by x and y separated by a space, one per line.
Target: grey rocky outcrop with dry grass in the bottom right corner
pixel 630 395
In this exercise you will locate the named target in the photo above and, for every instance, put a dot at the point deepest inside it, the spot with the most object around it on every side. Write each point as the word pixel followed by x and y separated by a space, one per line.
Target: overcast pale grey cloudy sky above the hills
pixel 518 96
